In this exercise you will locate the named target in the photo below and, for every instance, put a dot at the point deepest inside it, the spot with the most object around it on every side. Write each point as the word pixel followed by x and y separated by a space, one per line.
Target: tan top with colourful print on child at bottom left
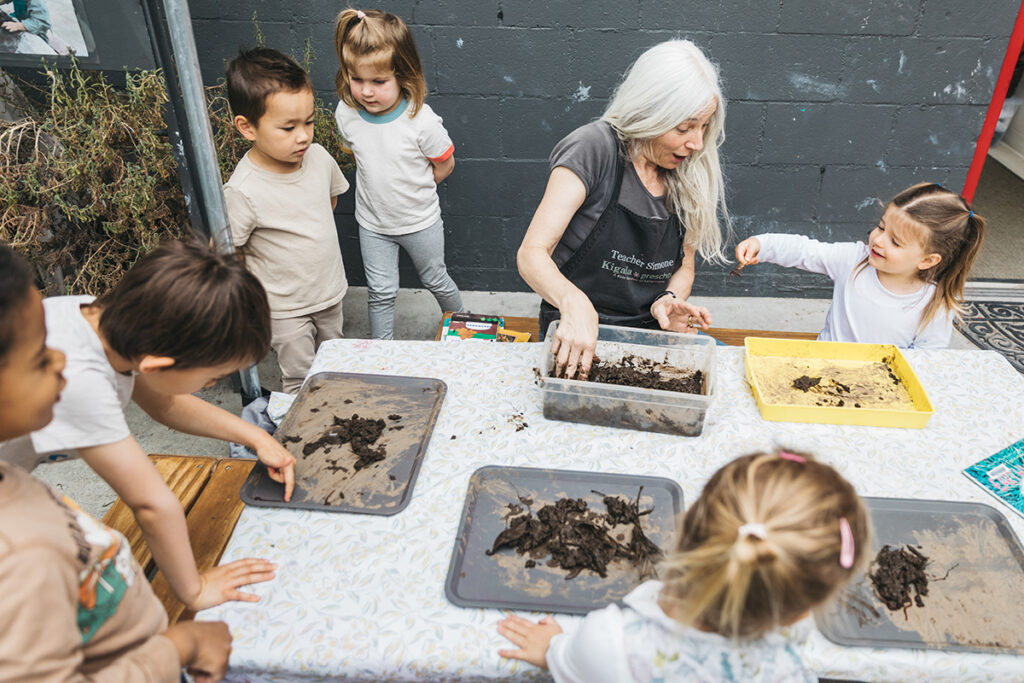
pixel 76 606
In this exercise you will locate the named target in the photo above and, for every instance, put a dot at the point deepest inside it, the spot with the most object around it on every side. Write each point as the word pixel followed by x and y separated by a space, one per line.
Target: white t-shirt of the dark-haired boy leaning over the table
pixel 92 408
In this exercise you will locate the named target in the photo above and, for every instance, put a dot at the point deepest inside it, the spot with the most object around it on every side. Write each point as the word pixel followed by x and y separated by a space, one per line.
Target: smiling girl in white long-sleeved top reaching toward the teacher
pixel 906 286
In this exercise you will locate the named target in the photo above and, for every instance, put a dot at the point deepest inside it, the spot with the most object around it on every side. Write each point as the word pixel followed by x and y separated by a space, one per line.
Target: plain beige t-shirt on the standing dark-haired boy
pixel 285 225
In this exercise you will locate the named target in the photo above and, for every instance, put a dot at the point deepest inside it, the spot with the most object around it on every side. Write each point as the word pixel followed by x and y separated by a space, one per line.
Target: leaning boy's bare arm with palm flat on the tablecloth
pixel 127 469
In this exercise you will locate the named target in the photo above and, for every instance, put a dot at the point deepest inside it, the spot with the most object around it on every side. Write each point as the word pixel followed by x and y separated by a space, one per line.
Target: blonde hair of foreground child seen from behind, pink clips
pixel 762 546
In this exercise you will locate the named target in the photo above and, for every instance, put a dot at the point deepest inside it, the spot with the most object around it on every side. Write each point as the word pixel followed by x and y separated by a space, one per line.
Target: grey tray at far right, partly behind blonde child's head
pixel 976 608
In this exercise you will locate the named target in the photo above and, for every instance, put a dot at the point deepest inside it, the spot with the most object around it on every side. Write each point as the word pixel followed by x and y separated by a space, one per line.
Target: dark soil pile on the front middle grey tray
pixel 578 538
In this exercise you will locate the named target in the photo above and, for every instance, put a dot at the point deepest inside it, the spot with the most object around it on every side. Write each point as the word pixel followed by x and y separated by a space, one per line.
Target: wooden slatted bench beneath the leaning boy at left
pixel 208 489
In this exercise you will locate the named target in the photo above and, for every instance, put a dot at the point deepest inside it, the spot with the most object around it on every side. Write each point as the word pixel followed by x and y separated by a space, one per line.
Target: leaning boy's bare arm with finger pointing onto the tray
pixel 194 416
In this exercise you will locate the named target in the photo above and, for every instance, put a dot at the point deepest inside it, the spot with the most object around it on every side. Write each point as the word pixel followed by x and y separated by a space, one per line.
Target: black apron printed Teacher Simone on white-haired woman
pixel 624 264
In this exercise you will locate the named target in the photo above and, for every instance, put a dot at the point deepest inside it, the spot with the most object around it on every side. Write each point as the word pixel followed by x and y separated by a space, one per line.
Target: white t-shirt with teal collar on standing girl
pixel 396 193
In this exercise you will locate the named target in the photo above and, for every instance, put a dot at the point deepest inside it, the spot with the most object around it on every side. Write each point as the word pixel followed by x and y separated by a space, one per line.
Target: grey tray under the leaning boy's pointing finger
pixel 322 482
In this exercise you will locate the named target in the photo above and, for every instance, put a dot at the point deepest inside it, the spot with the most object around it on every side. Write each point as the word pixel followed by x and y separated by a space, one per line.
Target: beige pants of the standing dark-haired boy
pixel 296 340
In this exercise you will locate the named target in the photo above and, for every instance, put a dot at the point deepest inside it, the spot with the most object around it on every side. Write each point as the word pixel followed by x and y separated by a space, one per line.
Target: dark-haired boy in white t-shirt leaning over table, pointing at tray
pixel 181 319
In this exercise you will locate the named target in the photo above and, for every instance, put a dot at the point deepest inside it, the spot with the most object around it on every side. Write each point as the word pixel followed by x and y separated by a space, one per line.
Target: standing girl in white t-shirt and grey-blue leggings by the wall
pixel 402 153
